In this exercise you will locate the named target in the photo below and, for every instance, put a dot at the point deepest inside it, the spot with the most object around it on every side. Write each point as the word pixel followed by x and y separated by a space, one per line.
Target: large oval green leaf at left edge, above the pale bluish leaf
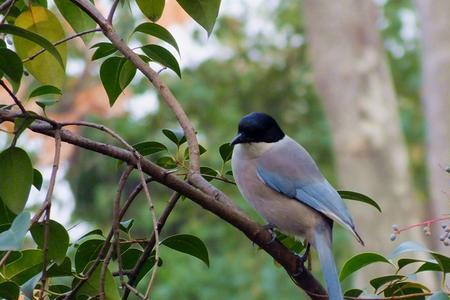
pixel 16 178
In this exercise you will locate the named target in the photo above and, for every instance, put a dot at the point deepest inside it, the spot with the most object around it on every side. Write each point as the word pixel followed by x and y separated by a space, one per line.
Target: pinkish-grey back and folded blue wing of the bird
pixel 290 170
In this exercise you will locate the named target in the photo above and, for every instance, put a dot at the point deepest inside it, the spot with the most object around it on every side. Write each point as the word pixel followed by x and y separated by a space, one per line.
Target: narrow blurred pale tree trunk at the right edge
pixel 435 25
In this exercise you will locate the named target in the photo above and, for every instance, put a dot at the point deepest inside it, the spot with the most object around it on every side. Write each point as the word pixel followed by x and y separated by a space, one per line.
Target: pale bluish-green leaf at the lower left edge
pixel 12 239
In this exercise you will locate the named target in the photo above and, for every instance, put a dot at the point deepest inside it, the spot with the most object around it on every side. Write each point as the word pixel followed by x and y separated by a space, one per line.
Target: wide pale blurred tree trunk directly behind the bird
pixel 353 81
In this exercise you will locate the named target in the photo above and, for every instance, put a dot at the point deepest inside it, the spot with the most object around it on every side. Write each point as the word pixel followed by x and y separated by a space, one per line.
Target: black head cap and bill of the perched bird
pixel 258 127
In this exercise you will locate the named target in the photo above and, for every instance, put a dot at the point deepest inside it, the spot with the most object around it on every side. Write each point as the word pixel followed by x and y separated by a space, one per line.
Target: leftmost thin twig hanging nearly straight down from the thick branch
pixel 48 205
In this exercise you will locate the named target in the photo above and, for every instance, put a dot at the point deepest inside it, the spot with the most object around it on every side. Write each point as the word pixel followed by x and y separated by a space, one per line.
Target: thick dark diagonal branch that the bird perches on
pixel 228 213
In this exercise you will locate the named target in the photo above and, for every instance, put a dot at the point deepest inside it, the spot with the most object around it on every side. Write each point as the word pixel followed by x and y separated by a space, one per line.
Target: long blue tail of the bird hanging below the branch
pixel 323 245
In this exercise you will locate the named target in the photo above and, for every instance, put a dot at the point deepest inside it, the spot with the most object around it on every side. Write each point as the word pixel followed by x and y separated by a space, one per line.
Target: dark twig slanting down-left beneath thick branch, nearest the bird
pixel 151 242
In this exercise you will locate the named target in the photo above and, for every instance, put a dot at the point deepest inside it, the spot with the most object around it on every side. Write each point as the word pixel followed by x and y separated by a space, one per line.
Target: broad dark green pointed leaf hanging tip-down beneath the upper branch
pixel 116 73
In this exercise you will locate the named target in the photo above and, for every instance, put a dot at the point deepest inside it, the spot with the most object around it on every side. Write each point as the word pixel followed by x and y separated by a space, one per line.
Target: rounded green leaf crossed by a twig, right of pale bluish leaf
pixel 58 239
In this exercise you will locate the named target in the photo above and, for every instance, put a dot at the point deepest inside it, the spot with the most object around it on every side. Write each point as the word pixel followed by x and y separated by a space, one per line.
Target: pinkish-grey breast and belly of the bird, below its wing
pixel 288 215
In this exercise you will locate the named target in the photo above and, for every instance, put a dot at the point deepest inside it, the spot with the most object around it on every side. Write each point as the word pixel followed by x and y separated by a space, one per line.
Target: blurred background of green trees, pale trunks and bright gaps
pixel 363 85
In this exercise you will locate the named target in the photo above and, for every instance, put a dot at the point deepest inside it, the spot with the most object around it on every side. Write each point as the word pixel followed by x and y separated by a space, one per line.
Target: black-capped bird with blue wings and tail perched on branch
pixel 284 184
